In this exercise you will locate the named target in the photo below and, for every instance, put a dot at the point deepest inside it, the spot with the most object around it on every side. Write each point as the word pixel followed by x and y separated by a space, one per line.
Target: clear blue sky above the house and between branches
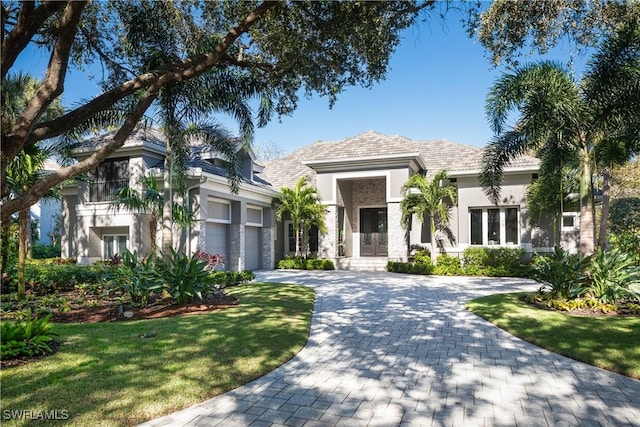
pixel 435 89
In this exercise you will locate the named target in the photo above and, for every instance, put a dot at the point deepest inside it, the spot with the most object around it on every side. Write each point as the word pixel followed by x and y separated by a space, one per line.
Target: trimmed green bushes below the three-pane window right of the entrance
pixel 493 262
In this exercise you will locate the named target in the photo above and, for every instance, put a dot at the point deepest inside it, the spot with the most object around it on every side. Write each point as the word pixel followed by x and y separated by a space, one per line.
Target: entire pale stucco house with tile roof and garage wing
pixel 359 180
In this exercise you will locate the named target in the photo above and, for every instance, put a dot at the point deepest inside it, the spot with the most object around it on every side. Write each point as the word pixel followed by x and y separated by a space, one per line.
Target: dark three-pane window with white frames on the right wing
pixel 494 226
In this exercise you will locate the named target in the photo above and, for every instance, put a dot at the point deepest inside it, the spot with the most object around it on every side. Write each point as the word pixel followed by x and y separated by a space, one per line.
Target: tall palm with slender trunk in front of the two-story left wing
pixel 184 107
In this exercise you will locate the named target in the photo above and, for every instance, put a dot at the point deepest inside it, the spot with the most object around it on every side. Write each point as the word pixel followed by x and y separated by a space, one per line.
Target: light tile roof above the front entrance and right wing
pixel 436 154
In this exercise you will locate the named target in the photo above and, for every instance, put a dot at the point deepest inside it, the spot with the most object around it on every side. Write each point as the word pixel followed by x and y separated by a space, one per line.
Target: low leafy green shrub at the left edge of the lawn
pixel 26 338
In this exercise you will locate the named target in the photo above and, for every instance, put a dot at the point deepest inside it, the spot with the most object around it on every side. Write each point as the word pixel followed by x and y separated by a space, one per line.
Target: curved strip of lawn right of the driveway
pixel 608 342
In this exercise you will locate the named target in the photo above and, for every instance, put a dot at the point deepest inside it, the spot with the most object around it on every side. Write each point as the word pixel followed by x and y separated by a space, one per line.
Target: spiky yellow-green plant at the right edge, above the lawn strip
pixel 613 275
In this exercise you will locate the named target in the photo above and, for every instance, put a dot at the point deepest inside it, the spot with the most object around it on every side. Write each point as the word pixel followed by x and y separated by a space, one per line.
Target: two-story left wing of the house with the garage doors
pixel 239 226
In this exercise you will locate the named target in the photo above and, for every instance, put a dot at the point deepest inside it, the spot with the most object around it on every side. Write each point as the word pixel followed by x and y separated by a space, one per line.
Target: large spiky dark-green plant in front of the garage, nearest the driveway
pixel 184 277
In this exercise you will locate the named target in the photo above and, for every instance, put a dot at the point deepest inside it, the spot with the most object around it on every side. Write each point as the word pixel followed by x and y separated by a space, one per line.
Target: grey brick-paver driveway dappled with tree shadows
pixel 389 349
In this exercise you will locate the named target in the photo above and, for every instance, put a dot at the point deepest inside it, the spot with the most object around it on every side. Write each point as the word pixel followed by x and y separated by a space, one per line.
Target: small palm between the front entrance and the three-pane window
pixel 429 198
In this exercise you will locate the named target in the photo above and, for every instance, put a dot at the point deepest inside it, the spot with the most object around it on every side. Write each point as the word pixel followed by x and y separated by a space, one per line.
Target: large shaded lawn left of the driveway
pixel 105 374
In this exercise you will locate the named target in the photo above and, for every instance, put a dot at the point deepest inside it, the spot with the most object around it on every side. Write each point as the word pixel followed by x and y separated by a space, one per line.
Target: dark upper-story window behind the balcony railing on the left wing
pixel 109 176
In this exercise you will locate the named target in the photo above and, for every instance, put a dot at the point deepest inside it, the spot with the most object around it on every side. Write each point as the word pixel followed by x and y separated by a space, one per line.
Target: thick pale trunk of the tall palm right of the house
pixel 587 223
